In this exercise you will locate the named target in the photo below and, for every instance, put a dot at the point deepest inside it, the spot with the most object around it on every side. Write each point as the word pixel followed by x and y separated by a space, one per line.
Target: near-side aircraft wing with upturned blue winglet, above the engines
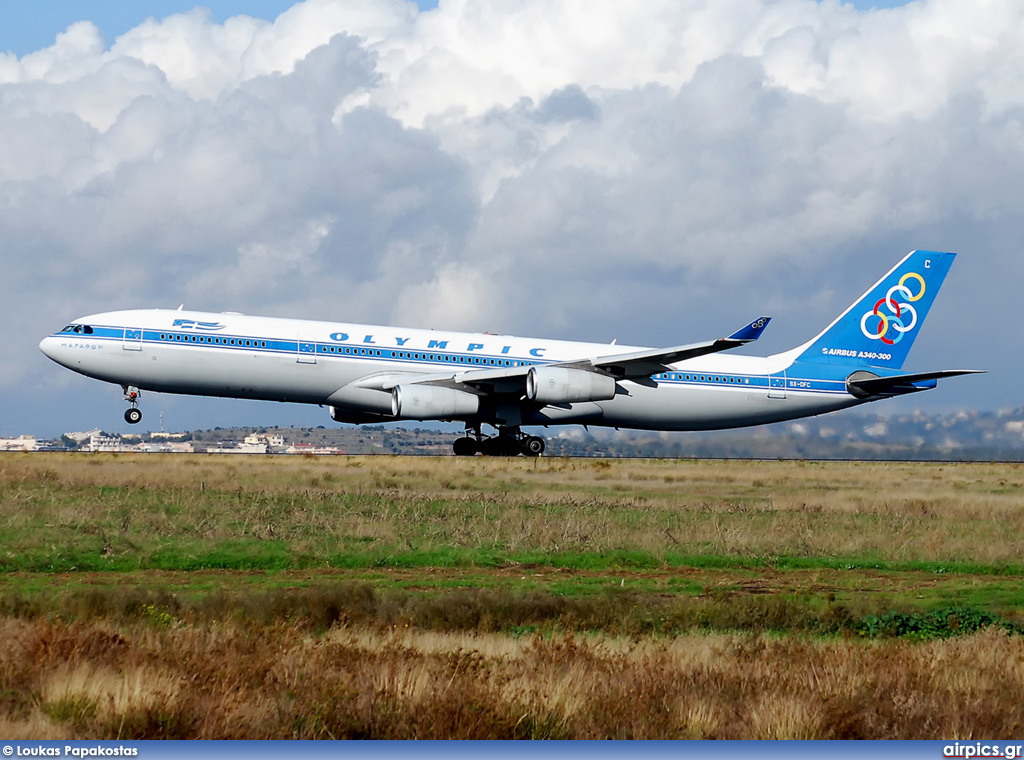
pixel 499 381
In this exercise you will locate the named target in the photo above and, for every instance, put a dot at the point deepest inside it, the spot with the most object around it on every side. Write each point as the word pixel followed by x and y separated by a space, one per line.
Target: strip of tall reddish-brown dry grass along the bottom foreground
pixel 90 682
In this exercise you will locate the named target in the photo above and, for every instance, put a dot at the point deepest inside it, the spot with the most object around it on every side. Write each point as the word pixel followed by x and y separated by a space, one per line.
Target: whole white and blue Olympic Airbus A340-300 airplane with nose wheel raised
pixel 374 374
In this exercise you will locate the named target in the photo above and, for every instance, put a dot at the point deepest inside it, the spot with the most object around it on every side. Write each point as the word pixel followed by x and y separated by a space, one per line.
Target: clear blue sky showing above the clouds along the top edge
pixel 27 26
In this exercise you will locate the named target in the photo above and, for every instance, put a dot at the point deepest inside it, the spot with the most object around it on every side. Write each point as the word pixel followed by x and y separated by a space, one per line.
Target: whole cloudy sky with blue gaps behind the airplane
pixel 656 173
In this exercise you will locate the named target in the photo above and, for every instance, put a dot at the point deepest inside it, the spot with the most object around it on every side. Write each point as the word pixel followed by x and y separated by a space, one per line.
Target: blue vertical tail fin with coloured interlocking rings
pixel 880 328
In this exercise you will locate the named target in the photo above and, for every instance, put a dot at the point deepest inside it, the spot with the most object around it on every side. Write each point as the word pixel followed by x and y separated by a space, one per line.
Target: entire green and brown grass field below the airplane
pixel 392 598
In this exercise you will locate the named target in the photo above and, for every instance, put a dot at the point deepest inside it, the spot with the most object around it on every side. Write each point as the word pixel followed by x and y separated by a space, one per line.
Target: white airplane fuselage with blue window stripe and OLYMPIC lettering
pixel 235 356
